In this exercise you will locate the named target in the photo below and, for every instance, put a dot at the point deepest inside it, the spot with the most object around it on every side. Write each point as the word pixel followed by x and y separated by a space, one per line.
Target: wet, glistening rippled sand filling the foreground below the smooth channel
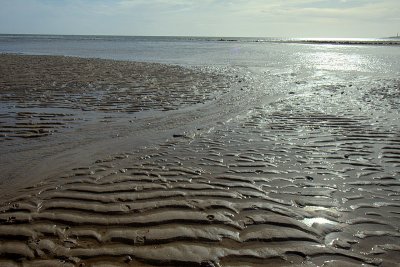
pixel 310 180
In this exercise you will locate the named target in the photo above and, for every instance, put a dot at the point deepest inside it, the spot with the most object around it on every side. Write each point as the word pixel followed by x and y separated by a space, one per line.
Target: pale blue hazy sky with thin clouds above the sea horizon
pixel 262 18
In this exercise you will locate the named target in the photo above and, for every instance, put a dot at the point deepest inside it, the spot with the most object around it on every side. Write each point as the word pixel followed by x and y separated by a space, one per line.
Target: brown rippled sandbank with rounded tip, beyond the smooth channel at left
pixel 49 84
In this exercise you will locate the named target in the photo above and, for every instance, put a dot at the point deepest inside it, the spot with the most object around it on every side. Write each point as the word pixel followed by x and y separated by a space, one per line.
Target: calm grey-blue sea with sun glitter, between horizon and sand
pixel 299 56
